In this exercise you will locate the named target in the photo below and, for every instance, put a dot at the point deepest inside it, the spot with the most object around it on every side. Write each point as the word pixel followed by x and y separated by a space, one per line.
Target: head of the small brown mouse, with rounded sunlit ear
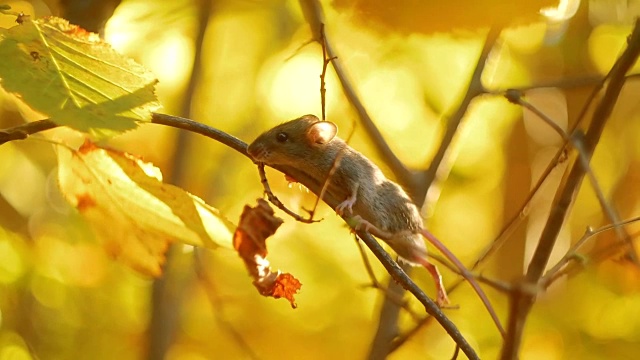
pixel 299 140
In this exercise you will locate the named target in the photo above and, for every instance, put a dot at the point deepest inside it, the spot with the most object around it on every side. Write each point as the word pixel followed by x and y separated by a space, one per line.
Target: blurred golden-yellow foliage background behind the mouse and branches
pixel 62 297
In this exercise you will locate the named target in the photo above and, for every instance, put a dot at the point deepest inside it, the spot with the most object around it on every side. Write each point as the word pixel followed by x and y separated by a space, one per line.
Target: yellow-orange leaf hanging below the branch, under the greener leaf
pixel 134 214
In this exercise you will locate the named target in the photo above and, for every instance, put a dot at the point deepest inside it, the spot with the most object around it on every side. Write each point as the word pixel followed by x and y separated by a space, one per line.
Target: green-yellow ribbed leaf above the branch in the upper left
pixel 74 77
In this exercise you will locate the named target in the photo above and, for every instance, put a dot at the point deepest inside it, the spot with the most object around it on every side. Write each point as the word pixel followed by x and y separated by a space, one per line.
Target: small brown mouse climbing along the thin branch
pixel 369 199
